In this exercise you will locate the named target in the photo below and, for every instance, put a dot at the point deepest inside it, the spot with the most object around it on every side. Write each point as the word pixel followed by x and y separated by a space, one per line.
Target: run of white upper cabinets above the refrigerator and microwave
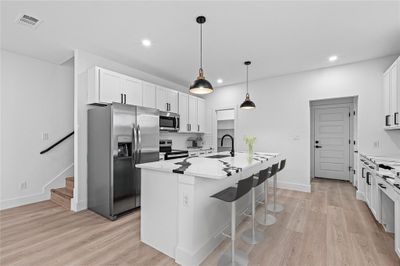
pixel 105 87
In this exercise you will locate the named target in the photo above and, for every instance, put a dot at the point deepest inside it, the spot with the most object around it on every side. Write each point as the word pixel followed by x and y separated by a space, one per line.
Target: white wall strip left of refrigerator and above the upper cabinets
pixel 84 61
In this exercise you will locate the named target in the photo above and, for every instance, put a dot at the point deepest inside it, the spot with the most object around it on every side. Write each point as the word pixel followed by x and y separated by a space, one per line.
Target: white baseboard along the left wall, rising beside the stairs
pixel 56 181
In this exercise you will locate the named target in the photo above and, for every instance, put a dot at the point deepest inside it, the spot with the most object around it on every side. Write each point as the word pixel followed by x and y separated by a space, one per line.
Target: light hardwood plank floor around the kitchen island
pixel 325 227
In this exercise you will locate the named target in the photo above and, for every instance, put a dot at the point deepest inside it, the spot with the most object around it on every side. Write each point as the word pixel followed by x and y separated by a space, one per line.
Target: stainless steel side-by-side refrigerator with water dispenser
pixel 119 137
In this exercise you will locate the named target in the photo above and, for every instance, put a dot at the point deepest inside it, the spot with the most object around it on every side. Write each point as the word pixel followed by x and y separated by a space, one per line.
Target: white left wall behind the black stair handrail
pixel 37 97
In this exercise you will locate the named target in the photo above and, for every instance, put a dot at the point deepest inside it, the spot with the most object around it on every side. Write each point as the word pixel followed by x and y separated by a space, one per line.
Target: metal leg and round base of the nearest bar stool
pixel 234 257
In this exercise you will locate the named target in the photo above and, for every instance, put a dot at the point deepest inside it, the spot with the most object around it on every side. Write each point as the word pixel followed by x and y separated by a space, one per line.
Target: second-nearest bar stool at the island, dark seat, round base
pixel 251 235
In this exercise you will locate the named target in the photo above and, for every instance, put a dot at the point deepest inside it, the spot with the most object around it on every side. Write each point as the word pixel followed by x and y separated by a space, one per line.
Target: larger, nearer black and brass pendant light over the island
pixel 201 85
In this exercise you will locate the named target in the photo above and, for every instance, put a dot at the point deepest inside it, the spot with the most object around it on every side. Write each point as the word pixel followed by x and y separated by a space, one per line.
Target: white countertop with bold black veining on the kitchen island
pixel 221 166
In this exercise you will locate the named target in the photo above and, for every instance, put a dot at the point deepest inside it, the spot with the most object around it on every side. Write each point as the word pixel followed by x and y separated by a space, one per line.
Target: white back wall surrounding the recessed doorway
pixel 281 121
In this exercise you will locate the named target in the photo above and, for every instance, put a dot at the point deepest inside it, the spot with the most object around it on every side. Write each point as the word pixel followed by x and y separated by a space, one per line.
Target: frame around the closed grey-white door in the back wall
pixel 350 102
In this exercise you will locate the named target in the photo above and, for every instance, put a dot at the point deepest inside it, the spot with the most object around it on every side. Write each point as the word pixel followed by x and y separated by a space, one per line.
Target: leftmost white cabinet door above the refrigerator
pixel 110 87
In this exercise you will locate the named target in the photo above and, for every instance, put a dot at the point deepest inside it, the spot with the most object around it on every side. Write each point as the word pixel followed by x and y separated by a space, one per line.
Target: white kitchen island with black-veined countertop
pixel 178 217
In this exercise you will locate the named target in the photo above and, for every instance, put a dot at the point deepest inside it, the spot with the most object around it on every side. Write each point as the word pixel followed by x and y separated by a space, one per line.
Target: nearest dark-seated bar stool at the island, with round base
pixel 232 194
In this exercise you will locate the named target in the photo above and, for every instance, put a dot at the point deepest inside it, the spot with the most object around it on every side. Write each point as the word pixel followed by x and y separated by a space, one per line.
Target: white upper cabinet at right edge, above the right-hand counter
pixel 391 96
